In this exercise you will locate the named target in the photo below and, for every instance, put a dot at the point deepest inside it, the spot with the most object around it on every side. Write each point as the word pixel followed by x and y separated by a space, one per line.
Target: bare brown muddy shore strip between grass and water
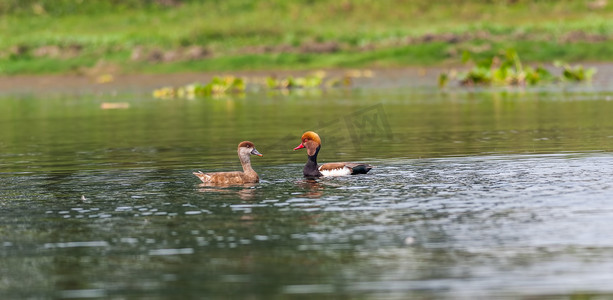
pixel 145 83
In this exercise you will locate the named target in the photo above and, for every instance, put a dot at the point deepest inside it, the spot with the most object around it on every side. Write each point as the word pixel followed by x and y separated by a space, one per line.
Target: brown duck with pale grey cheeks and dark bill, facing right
pixel 248 175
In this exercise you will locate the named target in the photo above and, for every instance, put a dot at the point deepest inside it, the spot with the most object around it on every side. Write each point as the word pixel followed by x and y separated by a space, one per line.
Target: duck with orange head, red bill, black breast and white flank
pixel 312 142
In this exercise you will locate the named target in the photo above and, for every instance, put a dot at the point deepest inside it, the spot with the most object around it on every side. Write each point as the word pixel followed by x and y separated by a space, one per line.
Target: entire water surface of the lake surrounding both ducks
pixel 474 195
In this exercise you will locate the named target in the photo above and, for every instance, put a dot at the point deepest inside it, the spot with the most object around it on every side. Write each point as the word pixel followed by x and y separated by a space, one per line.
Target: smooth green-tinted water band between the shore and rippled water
pixel 66 132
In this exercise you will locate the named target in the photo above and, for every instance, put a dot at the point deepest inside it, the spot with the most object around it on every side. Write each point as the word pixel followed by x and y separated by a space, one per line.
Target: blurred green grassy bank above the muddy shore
pixel 95 36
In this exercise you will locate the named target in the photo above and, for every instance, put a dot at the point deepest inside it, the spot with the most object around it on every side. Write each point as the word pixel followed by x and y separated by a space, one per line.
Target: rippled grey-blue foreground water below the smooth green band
pixel 445 226
